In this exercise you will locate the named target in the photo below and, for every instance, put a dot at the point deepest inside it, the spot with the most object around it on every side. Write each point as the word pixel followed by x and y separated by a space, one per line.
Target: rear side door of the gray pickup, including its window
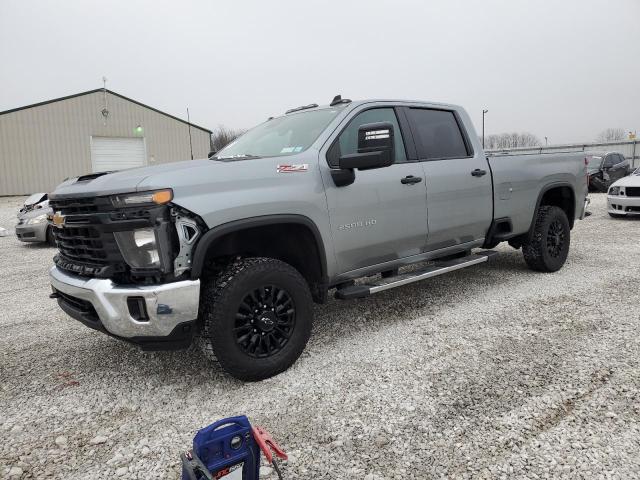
pixel 458 180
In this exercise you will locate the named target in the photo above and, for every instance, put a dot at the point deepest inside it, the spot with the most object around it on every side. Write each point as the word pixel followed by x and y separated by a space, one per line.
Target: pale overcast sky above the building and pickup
pixel 565 69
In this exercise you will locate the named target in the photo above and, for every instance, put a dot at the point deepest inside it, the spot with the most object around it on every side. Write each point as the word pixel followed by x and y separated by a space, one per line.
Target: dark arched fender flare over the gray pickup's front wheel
pixel 217 232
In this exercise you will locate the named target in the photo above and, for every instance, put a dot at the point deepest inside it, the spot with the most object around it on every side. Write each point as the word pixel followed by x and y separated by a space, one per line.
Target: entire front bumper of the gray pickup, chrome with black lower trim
pixel 152 316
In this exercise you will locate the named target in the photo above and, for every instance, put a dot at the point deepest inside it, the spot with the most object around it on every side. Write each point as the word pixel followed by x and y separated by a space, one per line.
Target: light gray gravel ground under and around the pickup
pixel 490 372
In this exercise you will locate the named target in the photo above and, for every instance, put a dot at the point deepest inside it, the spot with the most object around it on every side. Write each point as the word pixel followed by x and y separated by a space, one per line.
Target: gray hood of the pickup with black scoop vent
pixel 123 181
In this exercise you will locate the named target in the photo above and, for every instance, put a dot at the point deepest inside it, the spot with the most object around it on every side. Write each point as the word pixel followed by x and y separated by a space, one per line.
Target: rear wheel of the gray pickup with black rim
pixel 548 247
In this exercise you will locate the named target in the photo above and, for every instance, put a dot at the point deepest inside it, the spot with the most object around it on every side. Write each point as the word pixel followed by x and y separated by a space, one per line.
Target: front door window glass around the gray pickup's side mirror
pixel 347 142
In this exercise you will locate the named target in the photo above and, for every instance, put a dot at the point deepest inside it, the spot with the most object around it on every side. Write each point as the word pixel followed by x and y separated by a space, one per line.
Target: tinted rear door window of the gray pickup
pixel 437 134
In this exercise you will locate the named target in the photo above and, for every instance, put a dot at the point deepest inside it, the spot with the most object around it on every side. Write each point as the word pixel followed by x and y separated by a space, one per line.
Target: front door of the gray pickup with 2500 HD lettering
pixel 382 215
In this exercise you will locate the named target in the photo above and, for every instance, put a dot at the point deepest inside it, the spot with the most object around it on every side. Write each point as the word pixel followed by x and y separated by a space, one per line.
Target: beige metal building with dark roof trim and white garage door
pixel 94 131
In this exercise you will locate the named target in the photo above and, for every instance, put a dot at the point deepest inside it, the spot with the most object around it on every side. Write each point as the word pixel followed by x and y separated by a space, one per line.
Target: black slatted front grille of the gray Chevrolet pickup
pixel 85 241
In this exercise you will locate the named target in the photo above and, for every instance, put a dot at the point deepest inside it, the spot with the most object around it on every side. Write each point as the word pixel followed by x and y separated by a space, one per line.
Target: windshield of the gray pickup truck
pixel 280 136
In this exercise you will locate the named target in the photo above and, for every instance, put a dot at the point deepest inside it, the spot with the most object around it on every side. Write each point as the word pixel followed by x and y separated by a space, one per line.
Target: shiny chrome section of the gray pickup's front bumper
pixel 167 305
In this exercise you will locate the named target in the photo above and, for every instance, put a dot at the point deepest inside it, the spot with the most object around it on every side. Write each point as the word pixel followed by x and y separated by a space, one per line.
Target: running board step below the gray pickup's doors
pixel 433 270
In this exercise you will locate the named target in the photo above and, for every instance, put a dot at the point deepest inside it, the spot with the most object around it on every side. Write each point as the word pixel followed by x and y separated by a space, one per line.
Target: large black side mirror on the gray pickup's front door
pixel 376 148
